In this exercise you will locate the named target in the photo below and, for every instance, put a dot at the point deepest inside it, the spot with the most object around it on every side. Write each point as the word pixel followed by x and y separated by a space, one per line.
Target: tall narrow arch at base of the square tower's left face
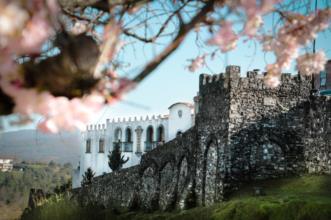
pixel 210 171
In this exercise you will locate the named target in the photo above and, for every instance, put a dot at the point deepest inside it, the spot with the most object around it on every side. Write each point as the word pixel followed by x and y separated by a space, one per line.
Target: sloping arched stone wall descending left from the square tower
pixel 161 181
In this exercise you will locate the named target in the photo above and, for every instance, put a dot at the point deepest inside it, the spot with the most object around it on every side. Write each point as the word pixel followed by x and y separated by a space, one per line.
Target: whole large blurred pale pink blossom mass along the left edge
pixel 24 28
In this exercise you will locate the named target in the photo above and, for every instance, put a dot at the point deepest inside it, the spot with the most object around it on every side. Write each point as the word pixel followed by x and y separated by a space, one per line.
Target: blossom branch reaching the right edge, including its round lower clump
pixel 297 32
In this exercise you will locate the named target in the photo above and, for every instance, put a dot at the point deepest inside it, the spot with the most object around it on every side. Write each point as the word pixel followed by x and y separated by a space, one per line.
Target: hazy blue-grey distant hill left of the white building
pixel 32 145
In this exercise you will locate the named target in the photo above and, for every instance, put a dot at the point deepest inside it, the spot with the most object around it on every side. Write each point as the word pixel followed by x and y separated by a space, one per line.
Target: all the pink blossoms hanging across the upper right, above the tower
pixel 297 31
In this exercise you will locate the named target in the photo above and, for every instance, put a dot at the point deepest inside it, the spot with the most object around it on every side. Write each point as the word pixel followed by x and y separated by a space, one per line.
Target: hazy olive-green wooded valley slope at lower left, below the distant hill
pixel 15 186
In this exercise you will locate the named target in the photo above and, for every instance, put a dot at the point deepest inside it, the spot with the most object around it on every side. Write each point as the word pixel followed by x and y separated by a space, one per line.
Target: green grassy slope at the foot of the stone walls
pixel 302 198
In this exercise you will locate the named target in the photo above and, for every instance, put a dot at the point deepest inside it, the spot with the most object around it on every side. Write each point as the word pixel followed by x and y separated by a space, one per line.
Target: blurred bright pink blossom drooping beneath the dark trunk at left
pixel 59 112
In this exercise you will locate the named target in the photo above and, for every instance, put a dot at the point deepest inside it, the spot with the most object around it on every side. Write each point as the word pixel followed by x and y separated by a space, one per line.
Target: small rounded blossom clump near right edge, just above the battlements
pixel 309 64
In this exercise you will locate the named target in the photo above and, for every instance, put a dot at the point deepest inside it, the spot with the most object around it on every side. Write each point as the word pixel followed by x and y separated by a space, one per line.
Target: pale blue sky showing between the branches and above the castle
pixel 171 82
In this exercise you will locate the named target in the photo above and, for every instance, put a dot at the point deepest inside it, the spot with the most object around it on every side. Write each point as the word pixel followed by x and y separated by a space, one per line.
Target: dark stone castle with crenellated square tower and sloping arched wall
pixel 242 132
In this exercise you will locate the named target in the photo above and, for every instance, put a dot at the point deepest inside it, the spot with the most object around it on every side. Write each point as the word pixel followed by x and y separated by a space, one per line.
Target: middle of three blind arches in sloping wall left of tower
pixel 167 186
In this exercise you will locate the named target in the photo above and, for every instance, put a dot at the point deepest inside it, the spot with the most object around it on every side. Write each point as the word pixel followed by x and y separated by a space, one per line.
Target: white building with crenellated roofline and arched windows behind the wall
pixel 136 136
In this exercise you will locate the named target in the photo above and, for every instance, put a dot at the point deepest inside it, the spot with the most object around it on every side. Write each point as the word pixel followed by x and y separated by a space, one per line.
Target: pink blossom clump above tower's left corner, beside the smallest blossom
pixel 226 39
